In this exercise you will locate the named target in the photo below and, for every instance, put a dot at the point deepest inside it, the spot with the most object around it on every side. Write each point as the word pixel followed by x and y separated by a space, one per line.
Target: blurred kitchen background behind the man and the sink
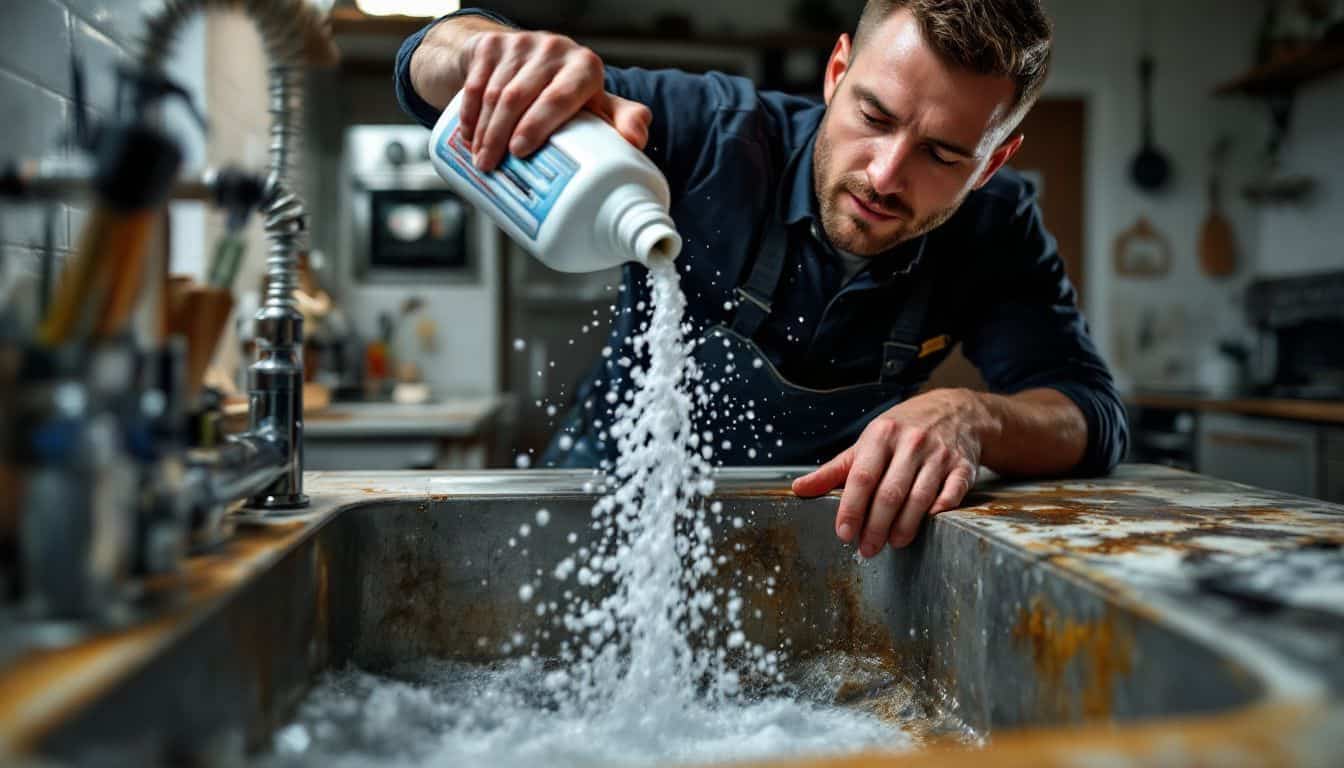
pixel 443 346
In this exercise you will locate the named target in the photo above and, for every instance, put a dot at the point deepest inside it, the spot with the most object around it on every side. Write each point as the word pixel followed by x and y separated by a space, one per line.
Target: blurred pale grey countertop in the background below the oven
pixel 452 419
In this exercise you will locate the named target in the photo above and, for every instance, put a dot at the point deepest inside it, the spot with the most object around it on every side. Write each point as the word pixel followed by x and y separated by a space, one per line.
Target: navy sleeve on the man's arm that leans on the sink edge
pixel 1033 336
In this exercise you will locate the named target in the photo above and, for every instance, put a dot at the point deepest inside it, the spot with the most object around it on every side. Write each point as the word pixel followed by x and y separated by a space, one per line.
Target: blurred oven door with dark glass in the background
pixel 413 233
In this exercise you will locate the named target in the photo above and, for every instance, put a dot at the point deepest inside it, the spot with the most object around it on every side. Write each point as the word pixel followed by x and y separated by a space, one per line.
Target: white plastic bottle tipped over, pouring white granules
pixel 584 202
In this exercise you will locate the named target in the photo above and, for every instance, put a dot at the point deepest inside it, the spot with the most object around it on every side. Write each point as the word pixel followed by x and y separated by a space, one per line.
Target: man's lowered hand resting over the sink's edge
pixel 920 458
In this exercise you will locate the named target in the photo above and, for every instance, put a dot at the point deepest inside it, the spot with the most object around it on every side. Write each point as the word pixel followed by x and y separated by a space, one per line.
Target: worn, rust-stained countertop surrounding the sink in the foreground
pixel 1205 558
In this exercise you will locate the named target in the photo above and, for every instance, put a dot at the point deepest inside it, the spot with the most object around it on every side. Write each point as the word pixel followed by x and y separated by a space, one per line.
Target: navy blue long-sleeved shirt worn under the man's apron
pixel 999 284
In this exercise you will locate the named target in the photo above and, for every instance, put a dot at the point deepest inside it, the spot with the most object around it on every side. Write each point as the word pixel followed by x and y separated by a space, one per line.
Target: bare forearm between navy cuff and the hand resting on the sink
pixel 1034 432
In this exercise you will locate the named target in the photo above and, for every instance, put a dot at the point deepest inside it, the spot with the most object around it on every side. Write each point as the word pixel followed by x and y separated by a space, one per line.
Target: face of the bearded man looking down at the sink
pixel 905 139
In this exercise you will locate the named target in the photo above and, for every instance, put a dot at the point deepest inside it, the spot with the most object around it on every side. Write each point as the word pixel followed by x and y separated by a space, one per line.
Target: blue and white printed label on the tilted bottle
pixel 523 189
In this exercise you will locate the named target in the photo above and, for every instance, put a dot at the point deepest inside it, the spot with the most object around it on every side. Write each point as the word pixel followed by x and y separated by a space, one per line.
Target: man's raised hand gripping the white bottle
pixel 518 88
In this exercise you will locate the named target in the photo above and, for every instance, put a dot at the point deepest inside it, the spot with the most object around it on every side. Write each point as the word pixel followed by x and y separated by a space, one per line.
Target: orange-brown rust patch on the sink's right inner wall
pixel 1104 648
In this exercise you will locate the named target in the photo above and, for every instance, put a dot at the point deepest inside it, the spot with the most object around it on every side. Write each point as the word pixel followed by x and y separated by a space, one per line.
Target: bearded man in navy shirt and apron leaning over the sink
pixel 838 251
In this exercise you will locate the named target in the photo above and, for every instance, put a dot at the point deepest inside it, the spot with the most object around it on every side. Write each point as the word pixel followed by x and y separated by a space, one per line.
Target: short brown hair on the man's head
pixel 1001 38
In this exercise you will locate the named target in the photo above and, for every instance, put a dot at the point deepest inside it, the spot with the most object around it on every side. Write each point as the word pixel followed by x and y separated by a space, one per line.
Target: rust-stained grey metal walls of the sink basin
pixel 394 568
